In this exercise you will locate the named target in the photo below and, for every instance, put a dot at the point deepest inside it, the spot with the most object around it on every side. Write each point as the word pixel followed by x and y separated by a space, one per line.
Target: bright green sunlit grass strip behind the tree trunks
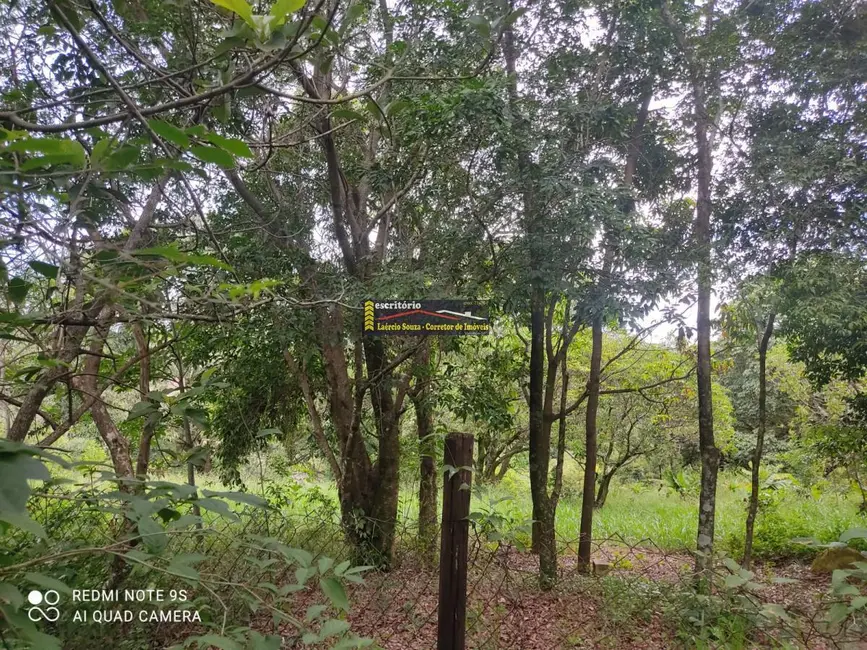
pixel 636 512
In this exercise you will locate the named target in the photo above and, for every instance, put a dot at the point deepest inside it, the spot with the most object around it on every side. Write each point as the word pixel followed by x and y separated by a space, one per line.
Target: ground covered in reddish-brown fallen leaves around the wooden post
pixel 622 609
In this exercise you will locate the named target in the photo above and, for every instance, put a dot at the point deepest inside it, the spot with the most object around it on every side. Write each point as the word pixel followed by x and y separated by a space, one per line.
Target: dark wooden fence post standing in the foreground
pixel 457 479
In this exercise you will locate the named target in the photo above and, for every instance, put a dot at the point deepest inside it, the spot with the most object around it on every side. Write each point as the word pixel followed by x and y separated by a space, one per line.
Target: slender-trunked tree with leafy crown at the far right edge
pixel 795 190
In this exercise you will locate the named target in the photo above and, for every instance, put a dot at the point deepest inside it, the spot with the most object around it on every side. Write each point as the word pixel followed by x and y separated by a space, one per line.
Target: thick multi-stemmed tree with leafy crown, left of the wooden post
pixel 371 163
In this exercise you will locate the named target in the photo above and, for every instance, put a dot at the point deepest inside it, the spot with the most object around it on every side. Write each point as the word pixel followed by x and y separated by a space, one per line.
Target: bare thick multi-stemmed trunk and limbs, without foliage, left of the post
pixel 368 490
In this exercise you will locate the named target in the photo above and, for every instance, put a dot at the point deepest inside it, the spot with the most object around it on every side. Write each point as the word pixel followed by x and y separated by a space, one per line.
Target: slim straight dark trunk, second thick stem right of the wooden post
pixel 589 493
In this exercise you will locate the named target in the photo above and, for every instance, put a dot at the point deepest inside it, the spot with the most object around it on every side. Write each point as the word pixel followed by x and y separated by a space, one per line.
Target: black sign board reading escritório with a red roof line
pixel 424 317
